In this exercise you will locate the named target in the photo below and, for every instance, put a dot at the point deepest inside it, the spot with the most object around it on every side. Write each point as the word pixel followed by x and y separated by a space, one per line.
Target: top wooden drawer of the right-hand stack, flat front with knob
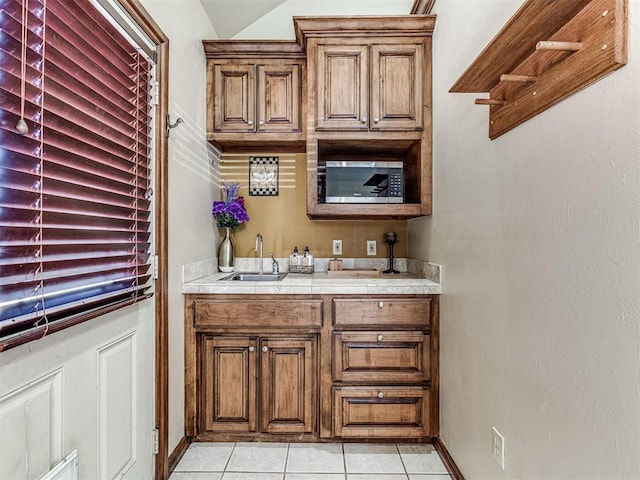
pixel 414 312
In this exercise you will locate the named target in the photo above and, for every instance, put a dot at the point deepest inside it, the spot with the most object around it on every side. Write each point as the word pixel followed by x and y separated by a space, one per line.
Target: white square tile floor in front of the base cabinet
pixel 310 461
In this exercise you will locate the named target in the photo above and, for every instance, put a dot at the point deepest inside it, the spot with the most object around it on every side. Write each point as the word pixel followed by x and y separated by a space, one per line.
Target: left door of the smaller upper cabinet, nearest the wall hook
pixel 234 98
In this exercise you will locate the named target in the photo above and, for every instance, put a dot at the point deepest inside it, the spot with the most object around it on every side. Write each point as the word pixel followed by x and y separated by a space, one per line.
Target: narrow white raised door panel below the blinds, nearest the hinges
pixel 117 407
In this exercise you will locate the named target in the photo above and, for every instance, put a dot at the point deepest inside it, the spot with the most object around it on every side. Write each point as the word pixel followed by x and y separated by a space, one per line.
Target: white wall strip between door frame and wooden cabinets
pixel 192 236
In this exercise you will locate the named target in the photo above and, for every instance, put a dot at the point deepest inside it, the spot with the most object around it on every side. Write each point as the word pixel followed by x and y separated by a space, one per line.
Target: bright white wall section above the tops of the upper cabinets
pixel 278 24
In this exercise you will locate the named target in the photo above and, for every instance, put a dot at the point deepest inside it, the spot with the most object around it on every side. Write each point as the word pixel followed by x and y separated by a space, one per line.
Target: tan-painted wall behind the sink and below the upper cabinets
pixel 282 220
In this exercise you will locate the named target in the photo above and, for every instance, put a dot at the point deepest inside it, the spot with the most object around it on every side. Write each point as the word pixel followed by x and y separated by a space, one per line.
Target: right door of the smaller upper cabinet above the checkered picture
pixel 278 98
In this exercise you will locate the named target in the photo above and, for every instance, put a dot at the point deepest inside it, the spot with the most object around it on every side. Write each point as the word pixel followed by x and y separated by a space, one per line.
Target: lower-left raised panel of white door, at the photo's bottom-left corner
pixel 34 412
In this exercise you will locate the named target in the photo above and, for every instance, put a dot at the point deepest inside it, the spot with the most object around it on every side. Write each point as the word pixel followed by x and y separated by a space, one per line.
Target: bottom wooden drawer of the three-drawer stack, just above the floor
pixel 381 412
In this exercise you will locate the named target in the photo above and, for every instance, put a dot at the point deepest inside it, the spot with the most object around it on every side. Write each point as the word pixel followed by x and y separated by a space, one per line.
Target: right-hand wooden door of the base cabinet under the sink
pixel 288 383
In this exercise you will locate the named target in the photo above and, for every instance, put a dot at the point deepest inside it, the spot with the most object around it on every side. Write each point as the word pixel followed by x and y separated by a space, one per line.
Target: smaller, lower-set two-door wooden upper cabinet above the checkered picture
pixel 254 95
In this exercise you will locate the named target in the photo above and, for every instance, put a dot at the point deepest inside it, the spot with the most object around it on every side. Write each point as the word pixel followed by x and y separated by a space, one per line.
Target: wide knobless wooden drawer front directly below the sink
pixel 258 313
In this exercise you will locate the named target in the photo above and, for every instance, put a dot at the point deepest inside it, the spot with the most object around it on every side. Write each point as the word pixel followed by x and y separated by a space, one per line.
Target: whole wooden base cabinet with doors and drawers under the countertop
pixel 311 367
